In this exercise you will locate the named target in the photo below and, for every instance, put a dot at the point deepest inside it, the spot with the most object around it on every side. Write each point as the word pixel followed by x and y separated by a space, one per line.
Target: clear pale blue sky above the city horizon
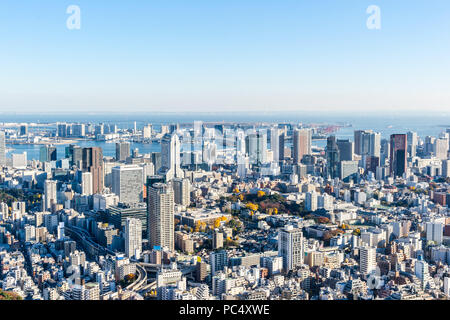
pixel 215 55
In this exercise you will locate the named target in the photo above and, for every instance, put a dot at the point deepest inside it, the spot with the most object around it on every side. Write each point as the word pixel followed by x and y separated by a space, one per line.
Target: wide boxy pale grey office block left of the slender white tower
pixel 127 183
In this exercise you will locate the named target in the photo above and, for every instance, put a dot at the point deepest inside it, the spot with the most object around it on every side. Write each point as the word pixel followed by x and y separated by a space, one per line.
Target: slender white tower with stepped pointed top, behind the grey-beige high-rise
pixel 170 157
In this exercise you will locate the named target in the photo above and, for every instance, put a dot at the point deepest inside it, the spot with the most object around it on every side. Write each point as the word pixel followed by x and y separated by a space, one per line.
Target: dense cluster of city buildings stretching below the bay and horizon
pixel 225 211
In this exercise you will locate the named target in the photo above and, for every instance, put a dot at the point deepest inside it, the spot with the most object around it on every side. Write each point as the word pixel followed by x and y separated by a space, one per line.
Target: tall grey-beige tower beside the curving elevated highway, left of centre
pixel 160 210
